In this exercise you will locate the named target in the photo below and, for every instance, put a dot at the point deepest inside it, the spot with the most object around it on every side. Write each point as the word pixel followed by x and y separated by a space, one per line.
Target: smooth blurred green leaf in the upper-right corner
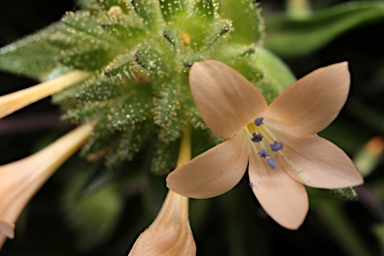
pixel 291 37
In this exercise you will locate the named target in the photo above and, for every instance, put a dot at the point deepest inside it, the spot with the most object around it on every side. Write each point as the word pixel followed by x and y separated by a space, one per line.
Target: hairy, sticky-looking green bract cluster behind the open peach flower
pixel 136 56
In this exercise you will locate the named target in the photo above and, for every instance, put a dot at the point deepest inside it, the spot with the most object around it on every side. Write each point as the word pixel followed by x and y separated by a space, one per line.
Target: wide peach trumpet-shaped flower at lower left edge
pixel 21 179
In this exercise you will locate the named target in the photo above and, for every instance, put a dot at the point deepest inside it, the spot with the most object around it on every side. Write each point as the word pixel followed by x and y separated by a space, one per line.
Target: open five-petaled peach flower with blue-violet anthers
pixel 276 142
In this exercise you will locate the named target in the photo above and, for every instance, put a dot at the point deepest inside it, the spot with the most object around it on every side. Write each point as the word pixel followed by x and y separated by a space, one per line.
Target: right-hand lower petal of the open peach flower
pixel 318 163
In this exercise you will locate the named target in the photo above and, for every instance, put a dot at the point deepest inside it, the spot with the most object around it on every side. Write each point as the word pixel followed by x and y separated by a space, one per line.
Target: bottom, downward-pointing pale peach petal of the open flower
pixel 283 198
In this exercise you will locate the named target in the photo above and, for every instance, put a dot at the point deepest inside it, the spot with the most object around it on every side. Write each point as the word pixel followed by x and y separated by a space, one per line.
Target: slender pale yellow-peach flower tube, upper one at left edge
pixel 15 101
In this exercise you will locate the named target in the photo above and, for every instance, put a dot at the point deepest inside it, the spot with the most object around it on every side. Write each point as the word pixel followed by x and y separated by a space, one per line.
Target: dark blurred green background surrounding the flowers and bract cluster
pixel 64 218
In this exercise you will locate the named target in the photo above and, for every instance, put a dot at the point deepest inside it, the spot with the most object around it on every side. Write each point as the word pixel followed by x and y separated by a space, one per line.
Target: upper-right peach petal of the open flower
pixel 313 102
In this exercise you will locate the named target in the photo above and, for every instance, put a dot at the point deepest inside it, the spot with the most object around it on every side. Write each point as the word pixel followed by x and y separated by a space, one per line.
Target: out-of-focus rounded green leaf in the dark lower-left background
pixel 92 217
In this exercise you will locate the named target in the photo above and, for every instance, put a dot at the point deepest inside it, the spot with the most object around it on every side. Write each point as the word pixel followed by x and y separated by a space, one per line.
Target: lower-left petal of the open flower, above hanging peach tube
pixel 214 172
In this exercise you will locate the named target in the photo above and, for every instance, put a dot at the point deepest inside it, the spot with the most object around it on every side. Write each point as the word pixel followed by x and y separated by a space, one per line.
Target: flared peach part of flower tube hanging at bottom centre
pixel 170 233
